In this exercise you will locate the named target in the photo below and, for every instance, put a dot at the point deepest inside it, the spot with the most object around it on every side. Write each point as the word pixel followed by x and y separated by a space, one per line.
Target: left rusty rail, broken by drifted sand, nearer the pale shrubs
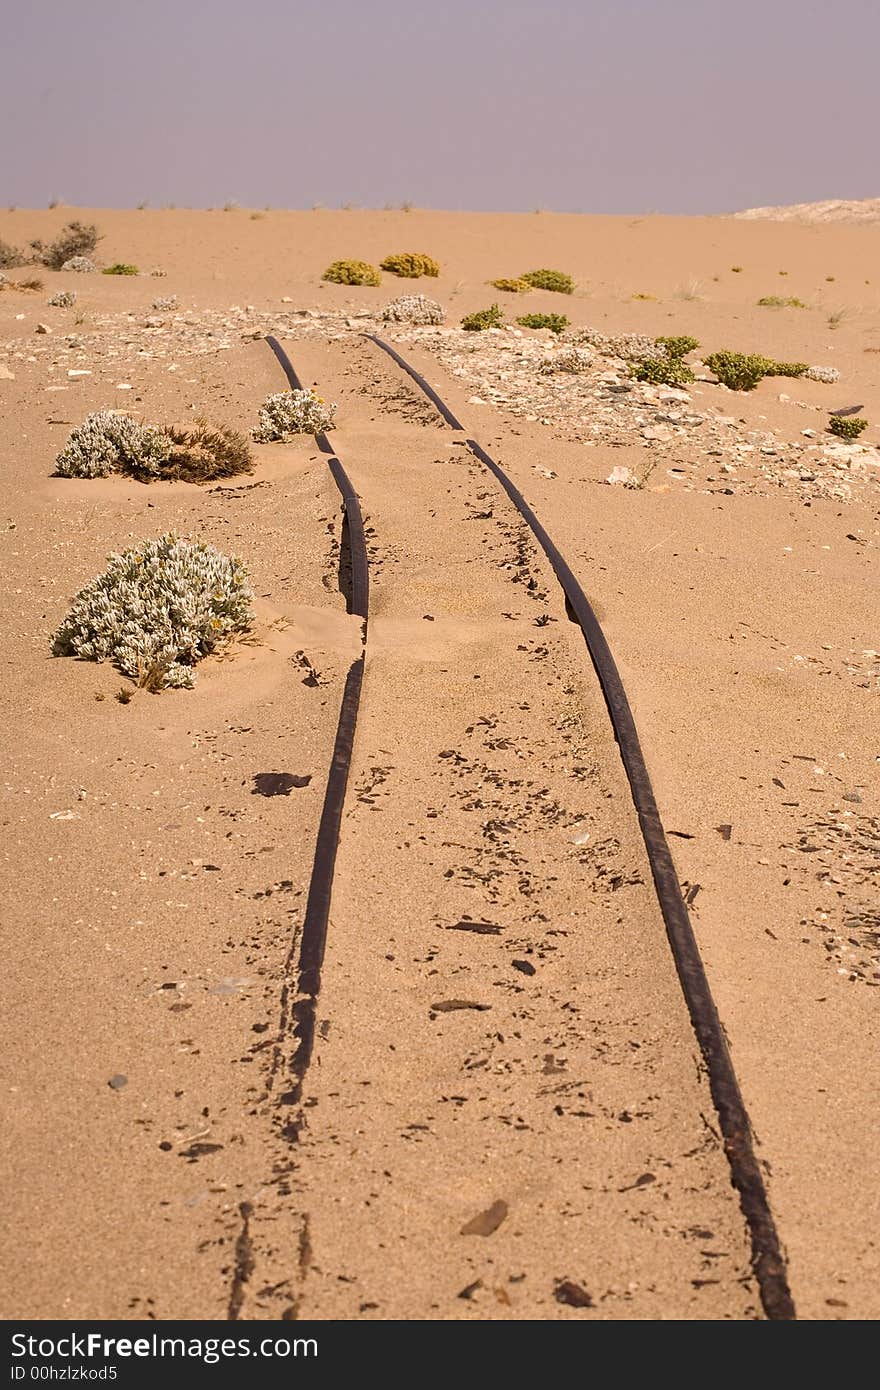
pixel 320 888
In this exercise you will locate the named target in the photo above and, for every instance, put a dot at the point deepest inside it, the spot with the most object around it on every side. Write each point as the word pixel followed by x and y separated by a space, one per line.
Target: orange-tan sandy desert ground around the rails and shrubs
pixel 469 1163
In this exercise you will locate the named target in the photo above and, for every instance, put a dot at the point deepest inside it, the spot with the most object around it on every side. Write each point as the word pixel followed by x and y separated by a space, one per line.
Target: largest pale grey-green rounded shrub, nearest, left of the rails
pixel 156 611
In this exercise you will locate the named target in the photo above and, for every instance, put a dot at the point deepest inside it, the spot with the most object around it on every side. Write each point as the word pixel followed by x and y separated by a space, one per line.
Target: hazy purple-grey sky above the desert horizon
pixel 603 106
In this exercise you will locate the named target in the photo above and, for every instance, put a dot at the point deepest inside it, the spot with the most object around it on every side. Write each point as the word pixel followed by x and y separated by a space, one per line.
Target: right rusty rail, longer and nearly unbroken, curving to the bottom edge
pixel 747 1178
